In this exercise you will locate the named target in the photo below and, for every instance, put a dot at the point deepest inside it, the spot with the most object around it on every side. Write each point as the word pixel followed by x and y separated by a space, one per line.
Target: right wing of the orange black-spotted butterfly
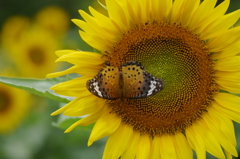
pixel 138 83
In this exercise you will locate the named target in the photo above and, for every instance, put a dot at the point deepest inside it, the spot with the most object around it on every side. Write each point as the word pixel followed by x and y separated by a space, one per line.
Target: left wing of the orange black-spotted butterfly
pixel 106 83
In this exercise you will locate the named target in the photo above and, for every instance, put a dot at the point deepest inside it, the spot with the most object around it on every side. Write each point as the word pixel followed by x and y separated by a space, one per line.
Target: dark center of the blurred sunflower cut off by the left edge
pixel 5 101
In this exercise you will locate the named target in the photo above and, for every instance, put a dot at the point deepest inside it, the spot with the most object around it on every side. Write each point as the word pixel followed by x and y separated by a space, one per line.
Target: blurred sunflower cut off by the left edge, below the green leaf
pixel 14 106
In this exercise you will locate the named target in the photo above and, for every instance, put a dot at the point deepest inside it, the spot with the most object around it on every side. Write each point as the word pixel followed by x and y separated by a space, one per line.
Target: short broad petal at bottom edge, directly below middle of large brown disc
pixel 167 148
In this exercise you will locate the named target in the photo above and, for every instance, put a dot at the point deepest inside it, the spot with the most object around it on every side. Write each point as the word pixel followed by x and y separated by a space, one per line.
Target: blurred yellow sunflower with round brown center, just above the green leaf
pixel 32 55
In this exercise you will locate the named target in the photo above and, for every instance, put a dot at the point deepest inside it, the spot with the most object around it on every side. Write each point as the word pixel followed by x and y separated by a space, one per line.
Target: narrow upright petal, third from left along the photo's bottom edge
pixel 143 151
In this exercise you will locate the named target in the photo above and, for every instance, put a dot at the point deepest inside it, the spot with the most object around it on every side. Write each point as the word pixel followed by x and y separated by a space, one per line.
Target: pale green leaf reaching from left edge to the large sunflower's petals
pixel 39 87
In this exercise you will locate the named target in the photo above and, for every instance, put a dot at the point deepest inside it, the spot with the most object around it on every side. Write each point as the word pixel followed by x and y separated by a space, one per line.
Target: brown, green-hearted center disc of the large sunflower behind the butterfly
pixel 176 55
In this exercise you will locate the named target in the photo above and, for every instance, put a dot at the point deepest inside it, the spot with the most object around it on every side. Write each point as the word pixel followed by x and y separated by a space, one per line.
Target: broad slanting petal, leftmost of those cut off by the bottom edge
pixel 123 137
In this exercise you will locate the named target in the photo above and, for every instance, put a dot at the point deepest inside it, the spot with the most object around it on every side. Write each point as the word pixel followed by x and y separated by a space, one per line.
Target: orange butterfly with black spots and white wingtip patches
pixel 128 81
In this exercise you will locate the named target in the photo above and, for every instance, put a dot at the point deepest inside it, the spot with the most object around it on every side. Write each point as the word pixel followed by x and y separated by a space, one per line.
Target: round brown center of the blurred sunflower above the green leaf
pixel 36 55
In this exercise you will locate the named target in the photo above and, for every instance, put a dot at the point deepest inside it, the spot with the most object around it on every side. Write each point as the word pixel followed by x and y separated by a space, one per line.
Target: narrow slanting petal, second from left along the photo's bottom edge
pixel 131 151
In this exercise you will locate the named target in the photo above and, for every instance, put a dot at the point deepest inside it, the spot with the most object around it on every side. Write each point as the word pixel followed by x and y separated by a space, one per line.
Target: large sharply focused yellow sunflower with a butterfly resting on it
pixel 192 46
